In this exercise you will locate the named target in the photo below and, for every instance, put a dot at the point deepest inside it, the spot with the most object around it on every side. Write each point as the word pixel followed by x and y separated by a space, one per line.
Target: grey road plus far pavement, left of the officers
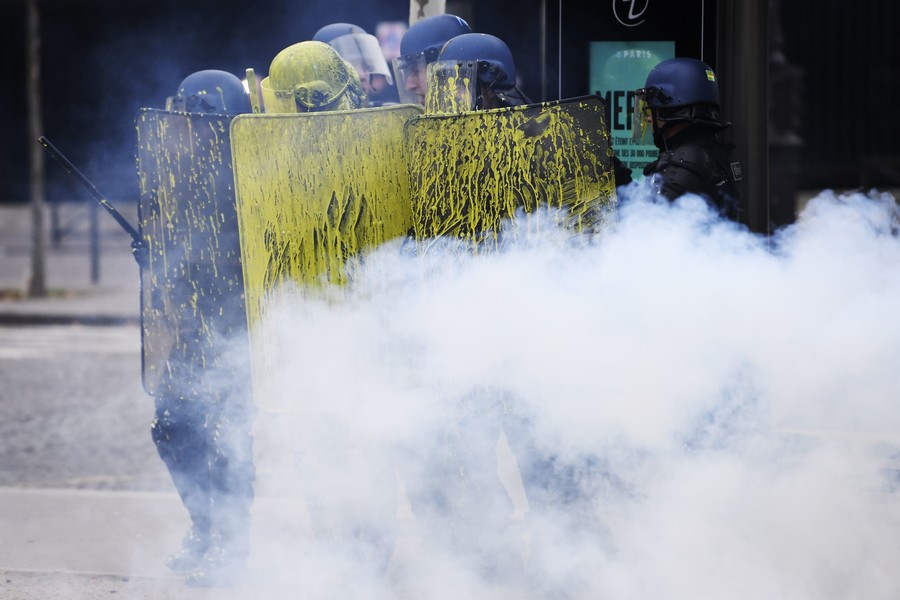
pixel 86 506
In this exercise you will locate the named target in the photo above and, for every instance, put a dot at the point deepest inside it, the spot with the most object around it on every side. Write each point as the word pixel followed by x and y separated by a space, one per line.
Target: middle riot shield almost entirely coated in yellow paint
pixel 314 191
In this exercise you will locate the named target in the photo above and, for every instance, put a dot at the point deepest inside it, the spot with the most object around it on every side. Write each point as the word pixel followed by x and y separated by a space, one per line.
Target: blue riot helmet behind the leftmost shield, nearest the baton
pixel 211 91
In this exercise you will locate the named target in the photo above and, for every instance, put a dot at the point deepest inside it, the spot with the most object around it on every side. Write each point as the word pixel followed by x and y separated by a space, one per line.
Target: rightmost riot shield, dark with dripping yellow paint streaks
pixel 473 171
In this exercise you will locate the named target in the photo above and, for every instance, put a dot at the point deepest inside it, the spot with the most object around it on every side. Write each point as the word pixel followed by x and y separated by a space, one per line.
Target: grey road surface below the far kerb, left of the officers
pixel 86 506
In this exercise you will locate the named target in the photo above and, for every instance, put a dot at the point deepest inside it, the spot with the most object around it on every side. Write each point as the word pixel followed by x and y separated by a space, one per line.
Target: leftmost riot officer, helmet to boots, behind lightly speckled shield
pixel 204 410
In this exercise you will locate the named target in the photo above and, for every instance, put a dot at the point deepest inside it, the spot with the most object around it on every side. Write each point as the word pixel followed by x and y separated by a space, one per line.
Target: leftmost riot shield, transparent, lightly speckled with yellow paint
pixel 192 312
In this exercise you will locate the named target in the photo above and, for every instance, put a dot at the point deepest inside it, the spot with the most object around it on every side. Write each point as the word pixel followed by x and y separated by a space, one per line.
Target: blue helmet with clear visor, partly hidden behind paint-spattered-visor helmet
pixel 420 46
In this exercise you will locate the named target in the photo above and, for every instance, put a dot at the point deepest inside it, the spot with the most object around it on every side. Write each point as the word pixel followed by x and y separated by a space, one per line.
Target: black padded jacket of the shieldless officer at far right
pixel 695 161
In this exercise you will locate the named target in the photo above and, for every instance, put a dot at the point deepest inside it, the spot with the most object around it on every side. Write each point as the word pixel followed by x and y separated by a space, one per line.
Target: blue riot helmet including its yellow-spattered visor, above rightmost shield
pixel 491 63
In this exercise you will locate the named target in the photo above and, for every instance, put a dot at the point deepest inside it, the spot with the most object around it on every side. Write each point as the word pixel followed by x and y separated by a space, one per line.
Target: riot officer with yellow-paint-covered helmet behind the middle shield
pixel 311 77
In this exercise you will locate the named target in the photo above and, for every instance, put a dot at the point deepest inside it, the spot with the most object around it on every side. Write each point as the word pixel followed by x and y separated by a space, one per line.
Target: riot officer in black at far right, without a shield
pixel 680 101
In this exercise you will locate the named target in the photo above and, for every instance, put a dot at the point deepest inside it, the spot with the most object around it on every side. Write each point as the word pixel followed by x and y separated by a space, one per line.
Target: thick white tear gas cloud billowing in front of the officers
pixel 724 405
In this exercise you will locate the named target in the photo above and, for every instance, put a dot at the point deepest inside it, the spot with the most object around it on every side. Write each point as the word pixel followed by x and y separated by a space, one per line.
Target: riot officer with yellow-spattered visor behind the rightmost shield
pixel 476 71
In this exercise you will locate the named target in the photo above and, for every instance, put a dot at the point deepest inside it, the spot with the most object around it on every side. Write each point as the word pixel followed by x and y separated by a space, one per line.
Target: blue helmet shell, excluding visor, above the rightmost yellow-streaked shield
pixel 492 61
